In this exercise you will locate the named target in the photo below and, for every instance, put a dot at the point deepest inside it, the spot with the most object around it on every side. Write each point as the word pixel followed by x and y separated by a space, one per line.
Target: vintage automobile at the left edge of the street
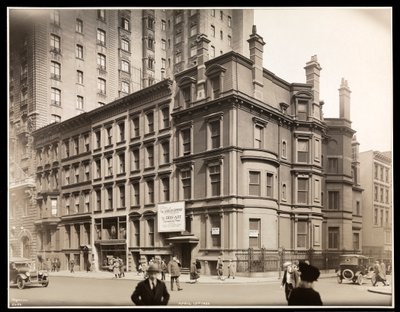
pixel 23 273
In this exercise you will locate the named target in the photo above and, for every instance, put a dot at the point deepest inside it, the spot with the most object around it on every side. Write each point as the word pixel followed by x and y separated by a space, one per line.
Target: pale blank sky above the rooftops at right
pixel 353 43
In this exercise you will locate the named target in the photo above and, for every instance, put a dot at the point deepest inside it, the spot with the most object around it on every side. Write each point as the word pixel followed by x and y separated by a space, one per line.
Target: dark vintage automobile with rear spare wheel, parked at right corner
pixel 353 268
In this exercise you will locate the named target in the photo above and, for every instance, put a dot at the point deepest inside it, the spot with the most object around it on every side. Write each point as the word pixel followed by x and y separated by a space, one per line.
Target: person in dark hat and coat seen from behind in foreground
pixel 304 294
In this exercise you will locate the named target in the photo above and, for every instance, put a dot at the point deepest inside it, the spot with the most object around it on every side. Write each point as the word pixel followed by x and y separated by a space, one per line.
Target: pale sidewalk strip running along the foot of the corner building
pixel 184 278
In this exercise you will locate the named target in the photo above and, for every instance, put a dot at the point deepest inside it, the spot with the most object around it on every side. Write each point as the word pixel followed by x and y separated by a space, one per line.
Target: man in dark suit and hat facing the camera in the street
pixel 151 291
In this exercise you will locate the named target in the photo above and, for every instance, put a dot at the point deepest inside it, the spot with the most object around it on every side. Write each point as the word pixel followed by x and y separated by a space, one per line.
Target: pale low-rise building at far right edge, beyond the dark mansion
pixel 376 178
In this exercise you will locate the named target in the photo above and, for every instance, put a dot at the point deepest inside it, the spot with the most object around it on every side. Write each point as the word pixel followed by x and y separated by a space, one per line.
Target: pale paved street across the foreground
pixel 66 291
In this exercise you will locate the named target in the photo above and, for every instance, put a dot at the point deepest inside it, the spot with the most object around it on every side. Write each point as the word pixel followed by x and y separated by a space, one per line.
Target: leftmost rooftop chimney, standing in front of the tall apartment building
pixel 202 57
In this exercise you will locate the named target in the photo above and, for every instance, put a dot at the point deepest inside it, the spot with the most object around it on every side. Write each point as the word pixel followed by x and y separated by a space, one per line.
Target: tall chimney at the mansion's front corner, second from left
pixel 256 45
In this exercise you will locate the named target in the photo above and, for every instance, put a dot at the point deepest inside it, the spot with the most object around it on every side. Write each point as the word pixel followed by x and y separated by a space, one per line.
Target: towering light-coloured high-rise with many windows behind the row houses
pixel 63 62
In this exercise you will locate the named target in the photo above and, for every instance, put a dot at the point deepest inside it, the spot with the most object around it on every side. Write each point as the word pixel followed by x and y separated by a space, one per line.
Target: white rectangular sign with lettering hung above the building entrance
pixel 171 217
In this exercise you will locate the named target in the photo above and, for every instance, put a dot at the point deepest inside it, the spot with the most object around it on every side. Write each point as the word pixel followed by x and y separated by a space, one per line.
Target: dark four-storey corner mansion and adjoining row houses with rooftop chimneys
pixel 227 151
